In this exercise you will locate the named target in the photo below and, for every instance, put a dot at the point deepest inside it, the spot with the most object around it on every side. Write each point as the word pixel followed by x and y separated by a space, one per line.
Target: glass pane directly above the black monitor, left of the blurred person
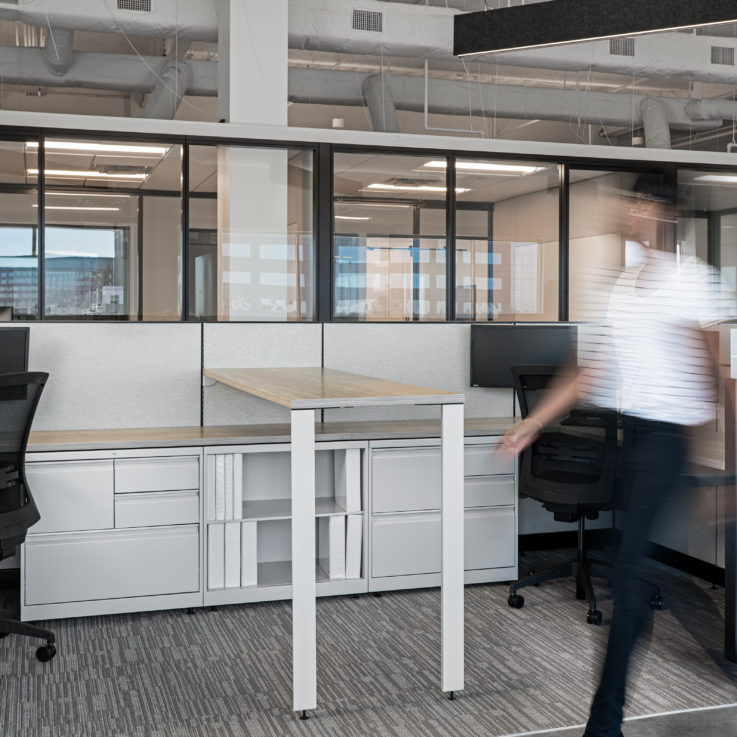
pixel 506 240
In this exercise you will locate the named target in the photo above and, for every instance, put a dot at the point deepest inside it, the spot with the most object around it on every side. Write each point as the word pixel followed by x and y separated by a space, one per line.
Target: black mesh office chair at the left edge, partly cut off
pixel 19 395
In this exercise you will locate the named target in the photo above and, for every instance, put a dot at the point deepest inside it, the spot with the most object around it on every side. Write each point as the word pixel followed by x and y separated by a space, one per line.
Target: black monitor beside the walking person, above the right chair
pixel 496 348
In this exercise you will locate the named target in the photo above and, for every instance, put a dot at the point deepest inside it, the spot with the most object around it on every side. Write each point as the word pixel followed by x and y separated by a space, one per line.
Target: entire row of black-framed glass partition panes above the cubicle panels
pixel 177 229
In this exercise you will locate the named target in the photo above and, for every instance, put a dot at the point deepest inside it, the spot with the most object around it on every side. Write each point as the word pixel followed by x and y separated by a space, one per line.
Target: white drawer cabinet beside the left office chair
pixel 119 532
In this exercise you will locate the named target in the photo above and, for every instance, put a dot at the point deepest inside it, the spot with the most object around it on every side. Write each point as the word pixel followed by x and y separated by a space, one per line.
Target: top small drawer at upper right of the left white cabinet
pixel 156 474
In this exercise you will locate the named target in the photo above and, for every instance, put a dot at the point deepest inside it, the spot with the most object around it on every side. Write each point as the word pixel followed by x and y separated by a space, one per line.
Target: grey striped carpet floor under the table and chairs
pixel 227 673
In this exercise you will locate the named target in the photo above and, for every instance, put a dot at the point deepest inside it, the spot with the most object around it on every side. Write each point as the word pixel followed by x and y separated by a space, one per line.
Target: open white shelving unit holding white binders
pixel 248 521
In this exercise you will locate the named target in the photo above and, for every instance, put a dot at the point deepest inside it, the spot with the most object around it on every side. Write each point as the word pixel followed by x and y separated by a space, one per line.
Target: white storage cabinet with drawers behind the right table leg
pixel 405 533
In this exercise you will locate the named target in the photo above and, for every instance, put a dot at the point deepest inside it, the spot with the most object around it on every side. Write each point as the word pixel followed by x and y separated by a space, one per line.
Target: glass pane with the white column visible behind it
pixel 251 235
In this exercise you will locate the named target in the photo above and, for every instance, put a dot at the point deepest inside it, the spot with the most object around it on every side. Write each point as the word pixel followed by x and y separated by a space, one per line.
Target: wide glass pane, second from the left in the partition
pixel 113 230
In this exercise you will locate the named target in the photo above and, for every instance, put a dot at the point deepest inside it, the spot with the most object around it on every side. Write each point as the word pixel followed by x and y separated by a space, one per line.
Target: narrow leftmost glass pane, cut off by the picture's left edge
pixel 18 232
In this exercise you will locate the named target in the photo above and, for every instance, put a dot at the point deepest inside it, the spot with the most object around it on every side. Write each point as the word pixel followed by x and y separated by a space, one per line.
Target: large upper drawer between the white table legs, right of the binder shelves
pixel 406 479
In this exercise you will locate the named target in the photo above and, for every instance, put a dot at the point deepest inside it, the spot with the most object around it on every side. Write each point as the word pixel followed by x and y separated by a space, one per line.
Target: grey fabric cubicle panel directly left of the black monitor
pixel 437 356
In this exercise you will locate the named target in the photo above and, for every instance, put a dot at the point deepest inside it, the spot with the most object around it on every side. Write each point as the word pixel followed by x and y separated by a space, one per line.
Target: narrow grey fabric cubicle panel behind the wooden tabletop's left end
pixel 254 345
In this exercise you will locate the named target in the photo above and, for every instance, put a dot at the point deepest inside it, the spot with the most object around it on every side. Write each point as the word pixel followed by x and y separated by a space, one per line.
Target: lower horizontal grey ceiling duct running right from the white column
pixel 451 97
